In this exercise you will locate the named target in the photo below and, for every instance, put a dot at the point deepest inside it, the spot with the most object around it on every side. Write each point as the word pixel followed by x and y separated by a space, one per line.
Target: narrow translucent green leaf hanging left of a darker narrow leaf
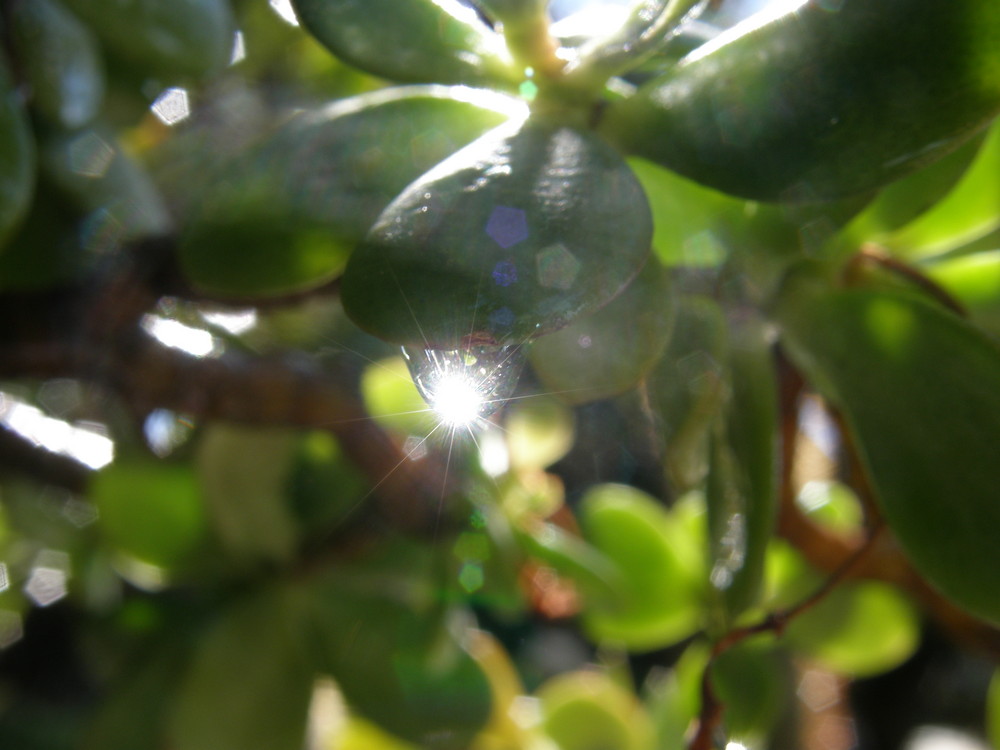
pixel 688 388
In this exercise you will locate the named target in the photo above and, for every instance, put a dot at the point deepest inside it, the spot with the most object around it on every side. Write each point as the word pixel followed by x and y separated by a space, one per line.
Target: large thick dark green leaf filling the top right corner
pixel 784 105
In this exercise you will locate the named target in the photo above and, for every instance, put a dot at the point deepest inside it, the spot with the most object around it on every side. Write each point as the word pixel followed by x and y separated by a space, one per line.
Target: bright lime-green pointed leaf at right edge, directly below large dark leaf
pixel 969 211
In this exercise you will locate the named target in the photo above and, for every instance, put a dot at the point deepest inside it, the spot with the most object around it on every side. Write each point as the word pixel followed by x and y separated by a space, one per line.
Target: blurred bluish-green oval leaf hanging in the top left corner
pixel 60 61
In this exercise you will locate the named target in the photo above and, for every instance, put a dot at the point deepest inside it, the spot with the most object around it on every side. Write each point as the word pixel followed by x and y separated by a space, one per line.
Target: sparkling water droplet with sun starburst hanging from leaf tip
pixel 465 385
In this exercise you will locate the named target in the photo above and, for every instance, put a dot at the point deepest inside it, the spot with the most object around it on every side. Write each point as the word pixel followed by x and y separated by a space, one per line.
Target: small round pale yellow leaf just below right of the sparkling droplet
pixel 539 432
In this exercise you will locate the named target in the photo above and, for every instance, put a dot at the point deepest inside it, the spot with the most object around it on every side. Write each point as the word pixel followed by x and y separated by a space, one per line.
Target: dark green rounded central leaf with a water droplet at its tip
pixel 522 231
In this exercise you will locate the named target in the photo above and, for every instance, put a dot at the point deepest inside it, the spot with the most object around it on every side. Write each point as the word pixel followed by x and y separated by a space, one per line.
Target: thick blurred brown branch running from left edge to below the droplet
pixel 91 332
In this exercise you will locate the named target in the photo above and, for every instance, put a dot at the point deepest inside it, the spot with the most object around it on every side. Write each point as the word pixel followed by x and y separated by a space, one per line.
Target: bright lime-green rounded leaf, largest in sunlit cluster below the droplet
pixel 660 563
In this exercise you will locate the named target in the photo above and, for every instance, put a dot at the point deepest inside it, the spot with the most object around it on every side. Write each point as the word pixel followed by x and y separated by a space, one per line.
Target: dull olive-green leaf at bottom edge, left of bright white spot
pixel 250 682
